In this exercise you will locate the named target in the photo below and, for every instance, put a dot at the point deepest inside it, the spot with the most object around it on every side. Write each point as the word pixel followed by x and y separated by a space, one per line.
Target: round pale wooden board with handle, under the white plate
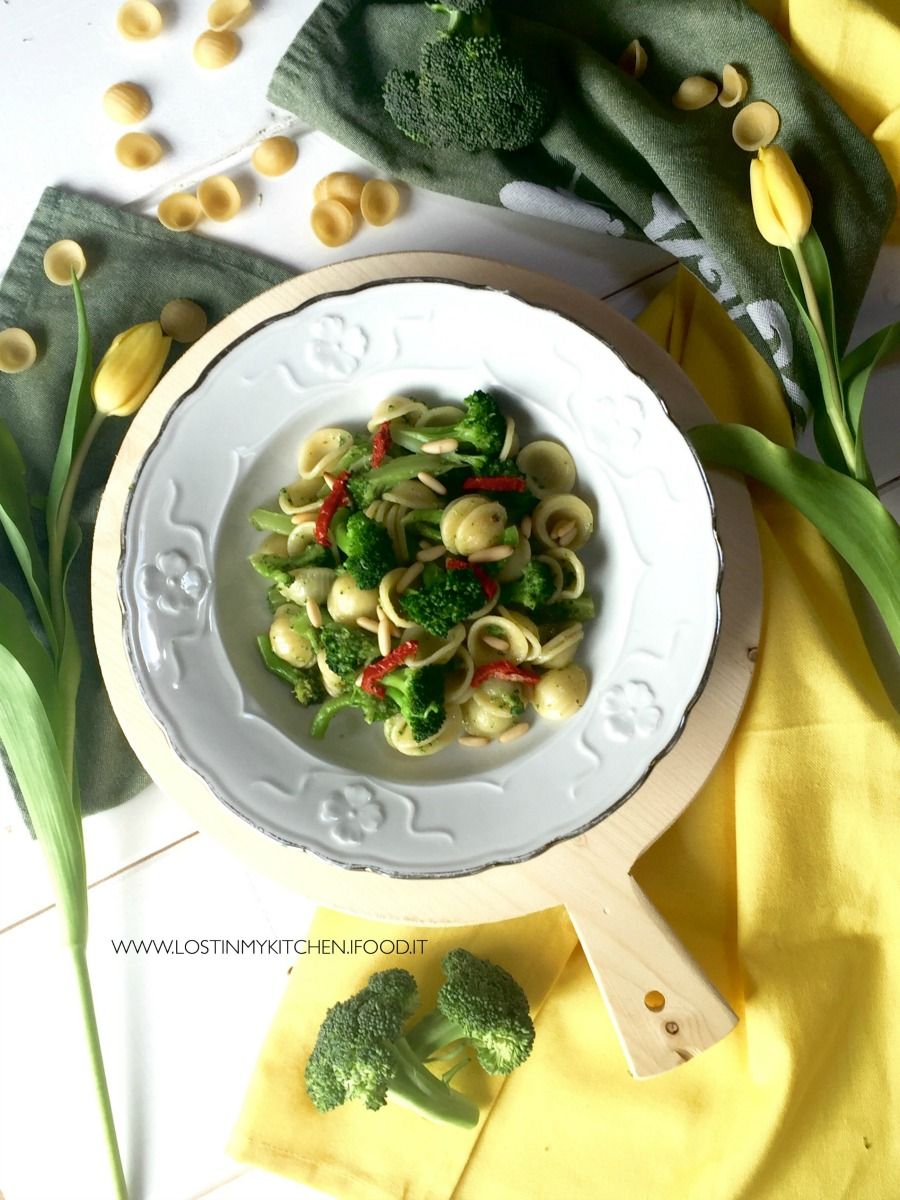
pixel 632 951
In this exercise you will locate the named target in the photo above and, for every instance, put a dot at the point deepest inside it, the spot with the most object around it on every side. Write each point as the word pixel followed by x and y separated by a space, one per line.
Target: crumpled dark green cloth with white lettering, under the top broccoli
pixel 619 158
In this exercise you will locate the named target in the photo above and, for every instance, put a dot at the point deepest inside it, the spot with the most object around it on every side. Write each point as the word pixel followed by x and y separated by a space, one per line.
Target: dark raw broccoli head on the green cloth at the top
pixel 470 92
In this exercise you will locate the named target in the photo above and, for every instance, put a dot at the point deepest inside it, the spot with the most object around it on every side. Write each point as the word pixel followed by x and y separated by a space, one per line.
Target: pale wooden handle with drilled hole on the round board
pixel 664 1009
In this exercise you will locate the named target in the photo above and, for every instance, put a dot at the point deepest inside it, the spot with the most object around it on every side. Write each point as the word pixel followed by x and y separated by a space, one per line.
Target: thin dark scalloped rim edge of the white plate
pixel 508 861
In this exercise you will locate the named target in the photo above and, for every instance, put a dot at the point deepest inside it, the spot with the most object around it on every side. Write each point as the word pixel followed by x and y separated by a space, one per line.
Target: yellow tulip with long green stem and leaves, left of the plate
pixel 40 675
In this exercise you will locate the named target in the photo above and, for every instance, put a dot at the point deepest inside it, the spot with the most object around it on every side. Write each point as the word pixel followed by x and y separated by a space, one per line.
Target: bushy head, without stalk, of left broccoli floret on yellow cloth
pixel 355 1058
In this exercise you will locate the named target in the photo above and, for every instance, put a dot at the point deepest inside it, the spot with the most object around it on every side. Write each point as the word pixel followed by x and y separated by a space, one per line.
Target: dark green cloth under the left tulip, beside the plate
pixel 135 267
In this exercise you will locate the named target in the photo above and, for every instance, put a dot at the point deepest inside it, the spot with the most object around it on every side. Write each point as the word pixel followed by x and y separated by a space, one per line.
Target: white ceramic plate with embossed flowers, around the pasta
pixel 194 607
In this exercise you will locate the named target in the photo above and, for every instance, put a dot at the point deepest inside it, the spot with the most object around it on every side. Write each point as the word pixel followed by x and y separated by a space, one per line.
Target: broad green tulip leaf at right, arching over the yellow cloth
pixel 848 515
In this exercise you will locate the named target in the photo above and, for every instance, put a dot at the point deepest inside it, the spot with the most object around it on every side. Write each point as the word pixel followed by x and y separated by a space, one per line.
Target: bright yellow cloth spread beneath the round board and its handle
pixel 782 880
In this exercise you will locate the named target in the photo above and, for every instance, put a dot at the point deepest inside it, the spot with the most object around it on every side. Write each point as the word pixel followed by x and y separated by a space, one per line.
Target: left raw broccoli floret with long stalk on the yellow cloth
pixel 361 1054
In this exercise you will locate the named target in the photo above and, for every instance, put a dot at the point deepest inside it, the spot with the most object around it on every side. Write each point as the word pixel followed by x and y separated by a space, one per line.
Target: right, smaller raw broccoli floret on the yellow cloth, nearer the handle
pixel 479 1005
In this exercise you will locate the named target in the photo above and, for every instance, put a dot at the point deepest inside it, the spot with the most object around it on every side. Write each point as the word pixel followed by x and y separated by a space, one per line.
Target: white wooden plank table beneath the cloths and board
pixel 182 1033
